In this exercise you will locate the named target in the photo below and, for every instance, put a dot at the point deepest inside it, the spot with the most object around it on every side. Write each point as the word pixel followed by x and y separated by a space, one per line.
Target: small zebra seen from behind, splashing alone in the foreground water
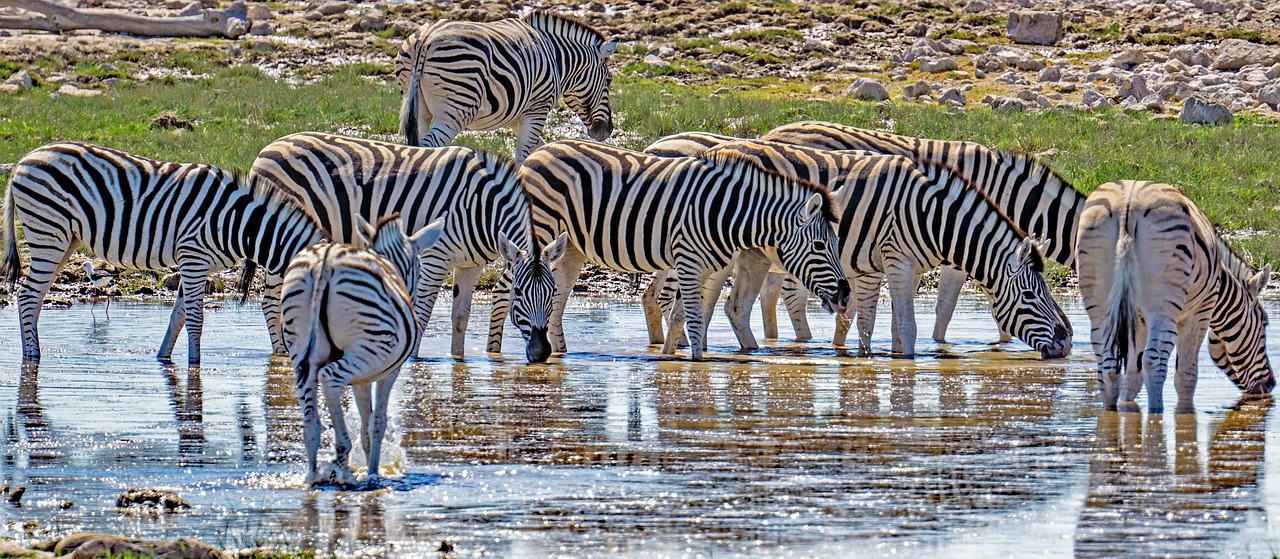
pixel 349 320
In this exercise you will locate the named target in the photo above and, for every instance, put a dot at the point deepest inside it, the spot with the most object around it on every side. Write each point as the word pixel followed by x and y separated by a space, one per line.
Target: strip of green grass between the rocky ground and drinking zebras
pixel 1233 172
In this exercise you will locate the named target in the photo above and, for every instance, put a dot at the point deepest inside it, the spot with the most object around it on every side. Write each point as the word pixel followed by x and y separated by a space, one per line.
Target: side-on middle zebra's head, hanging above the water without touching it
pixel 811 251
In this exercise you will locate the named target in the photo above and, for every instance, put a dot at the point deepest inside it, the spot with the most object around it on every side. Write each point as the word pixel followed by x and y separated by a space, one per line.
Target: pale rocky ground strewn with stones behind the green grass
pixel 1135 54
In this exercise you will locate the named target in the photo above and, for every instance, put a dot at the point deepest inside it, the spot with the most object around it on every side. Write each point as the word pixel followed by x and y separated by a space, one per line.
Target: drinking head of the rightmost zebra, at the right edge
pixel 1237 337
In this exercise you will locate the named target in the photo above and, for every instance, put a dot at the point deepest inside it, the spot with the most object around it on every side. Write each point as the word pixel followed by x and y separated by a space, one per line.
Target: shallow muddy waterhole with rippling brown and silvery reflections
pixel 793 451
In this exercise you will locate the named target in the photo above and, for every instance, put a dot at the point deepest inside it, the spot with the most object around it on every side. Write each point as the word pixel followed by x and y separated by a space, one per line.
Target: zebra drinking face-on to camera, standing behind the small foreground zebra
pixel 339 178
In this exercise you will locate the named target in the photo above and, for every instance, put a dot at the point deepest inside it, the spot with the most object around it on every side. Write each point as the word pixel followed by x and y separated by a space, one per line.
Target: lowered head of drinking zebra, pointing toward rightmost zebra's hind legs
pixel 1026 308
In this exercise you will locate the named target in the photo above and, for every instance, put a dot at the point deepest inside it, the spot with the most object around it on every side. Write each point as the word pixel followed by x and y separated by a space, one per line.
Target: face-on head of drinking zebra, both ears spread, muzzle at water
pixel 532 291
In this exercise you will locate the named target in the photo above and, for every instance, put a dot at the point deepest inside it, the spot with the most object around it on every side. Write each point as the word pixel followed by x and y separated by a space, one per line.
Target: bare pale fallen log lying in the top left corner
pixel 230 22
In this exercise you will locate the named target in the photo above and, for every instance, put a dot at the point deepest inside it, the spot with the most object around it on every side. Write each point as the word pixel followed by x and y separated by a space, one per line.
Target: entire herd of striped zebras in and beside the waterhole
pixel 358 237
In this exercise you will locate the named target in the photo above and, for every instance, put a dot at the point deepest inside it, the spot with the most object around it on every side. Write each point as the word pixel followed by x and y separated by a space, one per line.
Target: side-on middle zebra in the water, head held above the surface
pixel 641 214
